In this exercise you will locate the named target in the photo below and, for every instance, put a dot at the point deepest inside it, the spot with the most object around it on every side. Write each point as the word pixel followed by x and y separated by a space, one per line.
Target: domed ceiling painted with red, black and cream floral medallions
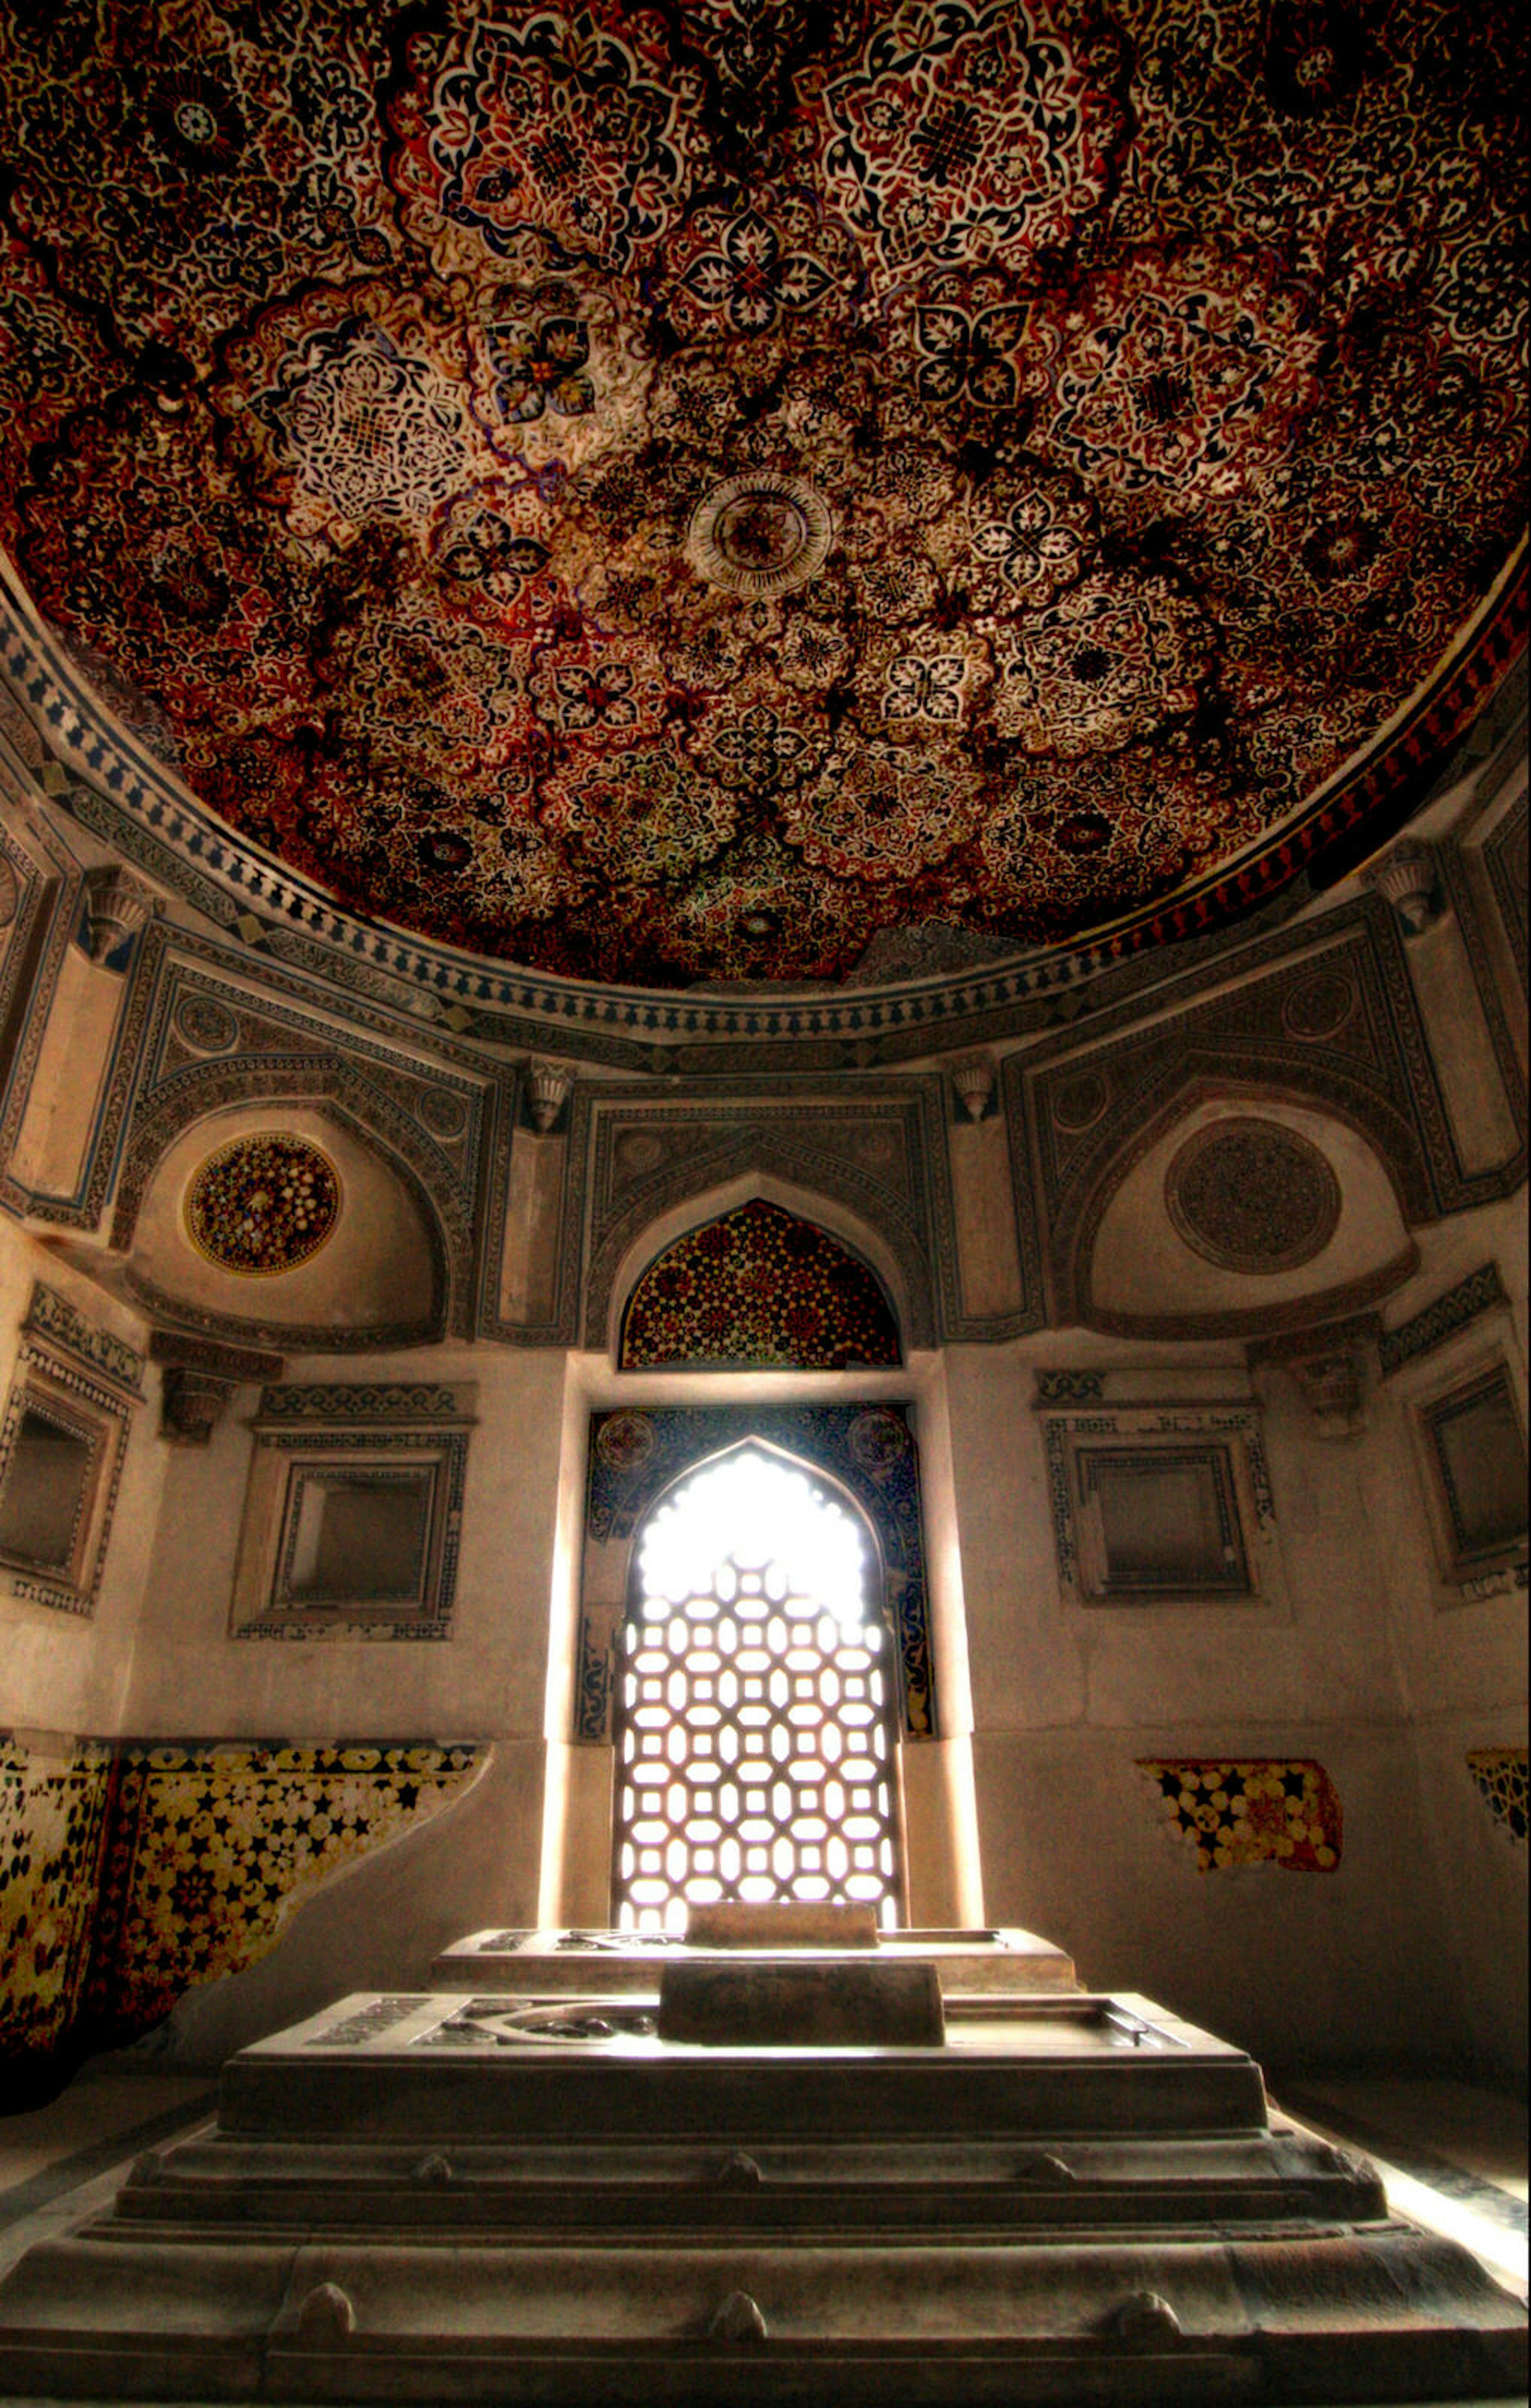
pixel 687 492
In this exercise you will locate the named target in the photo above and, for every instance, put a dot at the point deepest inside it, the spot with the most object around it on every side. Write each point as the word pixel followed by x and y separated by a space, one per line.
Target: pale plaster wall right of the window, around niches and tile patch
pixel 1364 1665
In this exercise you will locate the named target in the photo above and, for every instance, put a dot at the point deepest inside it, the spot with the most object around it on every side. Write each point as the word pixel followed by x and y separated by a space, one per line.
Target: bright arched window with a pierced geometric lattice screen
pixel 755 1716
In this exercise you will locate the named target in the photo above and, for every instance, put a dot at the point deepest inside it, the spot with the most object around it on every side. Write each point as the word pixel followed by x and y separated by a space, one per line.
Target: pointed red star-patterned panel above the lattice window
pixel 757 1289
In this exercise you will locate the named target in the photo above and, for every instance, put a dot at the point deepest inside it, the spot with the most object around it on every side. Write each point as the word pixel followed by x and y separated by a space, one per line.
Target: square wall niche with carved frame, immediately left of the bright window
pixel 353 1513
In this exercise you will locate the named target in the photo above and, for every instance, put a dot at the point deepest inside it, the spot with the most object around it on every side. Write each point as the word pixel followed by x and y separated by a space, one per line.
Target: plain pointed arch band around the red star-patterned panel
pixel 694 1196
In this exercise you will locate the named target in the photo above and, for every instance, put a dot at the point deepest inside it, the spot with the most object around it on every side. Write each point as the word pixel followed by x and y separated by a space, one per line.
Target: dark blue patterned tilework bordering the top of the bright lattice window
pixel 868 1448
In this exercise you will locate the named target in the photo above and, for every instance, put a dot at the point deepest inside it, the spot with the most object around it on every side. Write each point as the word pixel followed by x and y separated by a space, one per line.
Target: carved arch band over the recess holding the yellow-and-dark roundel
pixel 355 1104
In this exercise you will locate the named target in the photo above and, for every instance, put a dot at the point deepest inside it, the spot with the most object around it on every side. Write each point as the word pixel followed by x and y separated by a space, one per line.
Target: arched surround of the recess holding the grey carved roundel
pixel 1128 1135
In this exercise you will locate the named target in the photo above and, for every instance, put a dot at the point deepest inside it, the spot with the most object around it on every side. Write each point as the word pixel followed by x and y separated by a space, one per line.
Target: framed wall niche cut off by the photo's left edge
pixel 61 1453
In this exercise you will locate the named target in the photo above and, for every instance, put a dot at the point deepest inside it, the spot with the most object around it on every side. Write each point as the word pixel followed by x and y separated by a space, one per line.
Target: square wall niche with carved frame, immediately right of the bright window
pixel 1157 1501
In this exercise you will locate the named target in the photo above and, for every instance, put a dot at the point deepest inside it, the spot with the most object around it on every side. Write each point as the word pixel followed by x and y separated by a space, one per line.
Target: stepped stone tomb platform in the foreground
pixel 784 2171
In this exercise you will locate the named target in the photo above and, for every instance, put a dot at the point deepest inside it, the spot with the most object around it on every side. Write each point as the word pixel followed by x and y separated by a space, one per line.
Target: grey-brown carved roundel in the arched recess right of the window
pixel 1253 1196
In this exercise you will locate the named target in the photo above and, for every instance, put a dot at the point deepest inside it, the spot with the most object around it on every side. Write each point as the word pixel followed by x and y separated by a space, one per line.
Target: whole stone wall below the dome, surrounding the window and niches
pixel 1060 1280
